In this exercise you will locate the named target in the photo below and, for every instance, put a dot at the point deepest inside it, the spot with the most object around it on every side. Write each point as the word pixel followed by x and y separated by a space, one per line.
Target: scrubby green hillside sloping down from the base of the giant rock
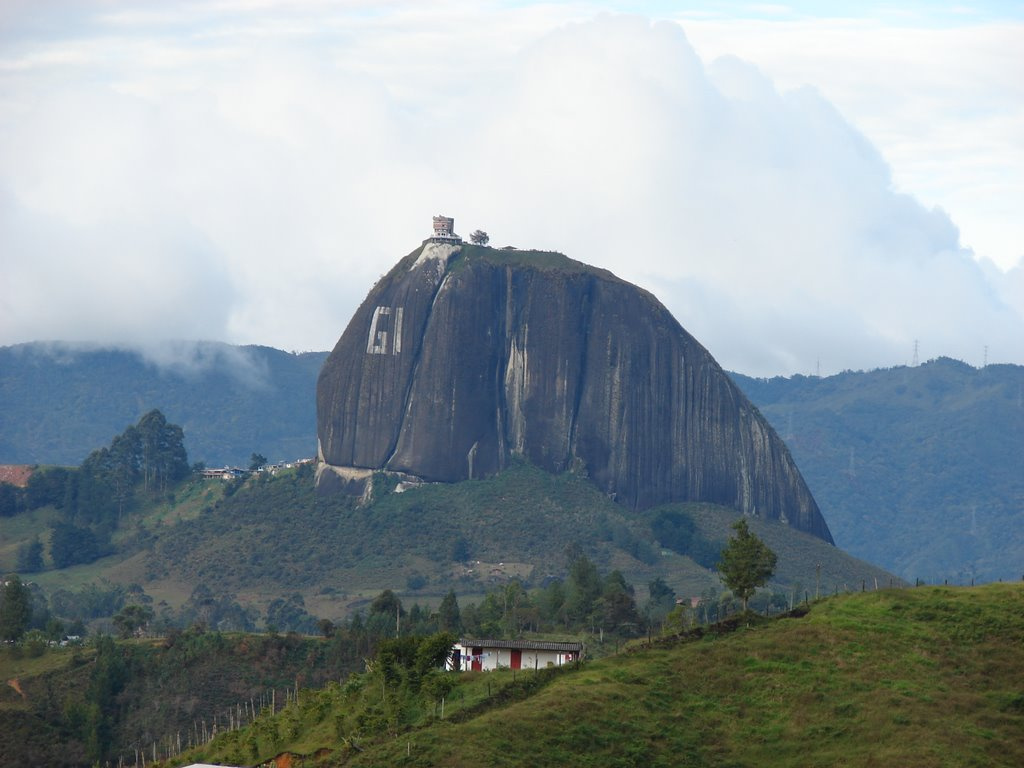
pixel 333 556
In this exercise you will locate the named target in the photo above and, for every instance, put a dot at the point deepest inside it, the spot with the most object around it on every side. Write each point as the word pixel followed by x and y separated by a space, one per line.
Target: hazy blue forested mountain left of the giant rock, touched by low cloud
pixel 60 402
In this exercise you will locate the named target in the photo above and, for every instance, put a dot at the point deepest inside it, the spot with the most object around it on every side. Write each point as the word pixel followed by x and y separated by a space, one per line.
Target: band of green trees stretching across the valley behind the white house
pixel 584 603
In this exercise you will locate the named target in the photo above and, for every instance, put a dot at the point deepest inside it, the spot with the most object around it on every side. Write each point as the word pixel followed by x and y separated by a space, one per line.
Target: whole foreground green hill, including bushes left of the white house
pixel 916 677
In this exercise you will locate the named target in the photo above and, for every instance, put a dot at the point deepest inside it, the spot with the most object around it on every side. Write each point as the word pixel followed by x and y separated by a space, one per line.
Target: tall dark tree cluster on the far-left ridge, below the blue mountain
pixel 144 462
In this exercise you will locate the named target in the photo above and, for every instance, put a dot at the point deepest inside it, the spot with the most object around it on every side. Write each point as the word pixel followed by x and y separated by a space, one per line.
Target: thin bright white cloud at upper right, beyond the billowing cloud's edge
pixel 946 104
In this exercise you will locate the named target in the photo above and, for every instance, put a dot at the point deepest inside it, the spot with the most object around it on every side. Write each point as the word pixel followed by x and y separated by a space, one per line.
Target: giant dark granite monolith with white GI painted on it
pixel 463 357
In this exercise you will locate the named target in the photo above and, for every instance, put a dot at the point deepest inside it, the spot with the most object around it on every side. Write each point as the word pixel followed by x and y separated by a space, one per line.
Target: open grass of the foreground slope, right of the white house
pixel 928 677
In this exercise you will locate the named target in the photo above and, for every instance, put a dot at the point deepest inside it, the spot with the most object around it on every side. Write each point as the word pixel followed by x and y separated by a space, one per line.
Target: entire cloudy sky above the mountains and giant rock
pixel 806 191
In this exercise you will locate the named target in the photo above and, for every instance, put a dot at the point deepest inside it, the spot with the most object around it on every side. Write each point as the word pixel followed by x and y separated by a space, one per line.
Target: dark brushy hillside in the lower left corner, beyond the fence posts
pixel 81 706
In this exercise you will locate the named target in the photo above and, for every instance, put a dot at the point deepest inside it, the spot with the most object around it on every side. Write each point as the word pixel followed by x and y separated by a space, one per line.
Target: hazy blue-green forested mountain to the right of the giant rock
pixel 918 470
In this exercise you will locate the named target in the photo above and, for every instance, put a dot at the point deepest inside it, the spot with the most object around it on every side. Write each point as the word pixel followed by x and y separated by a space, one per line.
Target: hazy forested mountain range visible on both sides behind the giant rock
pixel 920 471
